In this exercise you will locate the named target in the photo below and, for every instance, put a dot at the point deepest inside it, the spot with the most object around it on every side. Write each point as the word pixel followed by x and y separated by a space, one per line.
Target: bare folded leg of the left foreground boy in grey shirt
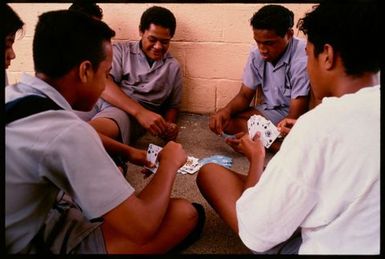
pixel 180 219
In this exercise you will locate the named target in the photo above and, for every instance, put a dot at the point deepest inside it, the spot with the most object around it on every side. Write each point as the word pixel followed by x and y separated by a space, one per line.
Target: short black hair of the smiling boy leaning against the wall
pixel 159 16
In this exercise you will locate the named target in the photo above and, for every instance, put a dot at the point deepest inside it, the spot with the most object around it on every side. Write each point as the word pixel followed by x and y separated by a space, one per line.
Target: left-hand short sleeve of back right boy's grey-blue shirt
pixel 251 73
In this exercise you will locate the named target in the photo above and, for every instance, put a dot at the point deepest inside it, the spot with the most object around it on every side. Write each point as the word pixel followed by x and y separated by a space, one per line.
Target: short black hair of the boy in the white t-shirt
pixel 352 29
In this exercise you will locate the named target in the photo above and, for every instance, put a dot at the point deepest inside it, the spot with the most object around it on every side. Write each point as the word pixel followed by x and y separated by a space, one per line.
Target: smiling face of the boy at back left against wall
pixel 155 41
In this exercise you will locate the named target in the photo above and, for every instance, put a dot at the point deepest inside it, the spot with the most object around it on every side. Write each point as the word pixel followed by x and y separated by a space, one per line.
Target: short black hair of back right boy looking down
pixel 273 17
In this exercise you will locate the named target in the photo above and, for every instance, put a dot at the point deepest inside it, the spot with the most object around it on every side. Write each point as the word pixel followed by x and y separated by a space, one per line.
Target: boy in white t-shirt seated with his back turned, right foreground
pixel 320 194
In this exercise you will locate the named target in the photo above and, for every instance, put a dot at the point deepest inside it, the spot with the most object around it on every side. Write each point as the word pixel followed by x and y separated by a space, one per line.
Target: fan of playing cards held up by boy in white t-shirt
pixel 267 129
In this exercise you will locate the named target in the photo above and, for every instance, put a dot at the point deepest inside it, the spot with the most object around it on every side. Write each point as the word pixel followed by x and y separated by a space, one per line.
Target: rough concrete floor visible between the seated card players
pixel 200 142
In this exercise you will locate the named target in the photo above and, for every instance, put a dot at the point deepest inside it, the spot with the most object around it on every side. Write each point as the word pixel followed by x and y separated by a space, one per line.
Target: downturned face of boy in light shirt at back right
pixel 271 46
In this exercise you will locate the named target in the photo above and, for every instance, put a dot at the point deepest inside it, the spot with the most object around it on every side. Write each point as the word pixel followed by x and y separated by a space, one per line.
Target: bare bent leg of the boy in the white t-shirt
pixel 221 187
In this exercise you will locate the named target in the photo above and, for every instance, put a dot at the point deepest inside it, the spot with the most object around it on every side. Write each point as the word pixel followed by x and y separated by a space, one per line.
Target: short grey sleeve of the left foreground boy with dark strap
pixel 83 169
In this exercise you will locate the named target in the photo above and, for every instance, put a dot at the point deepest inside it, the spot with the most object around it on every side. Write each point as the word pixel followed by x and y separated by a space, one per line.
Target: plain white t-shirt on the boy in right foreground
pixel 325 179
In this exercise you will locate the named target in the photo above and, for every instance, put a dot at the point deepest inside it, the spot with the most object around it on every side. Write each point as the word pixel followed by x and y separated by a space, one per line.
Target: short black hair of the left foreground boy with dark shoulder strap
pixel 63 39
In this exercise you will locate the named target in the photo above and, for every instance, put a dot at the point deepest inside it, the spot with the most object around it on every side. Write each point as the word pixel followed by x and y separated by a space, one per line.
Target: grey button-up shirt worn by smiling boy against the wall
pixel 158 87
